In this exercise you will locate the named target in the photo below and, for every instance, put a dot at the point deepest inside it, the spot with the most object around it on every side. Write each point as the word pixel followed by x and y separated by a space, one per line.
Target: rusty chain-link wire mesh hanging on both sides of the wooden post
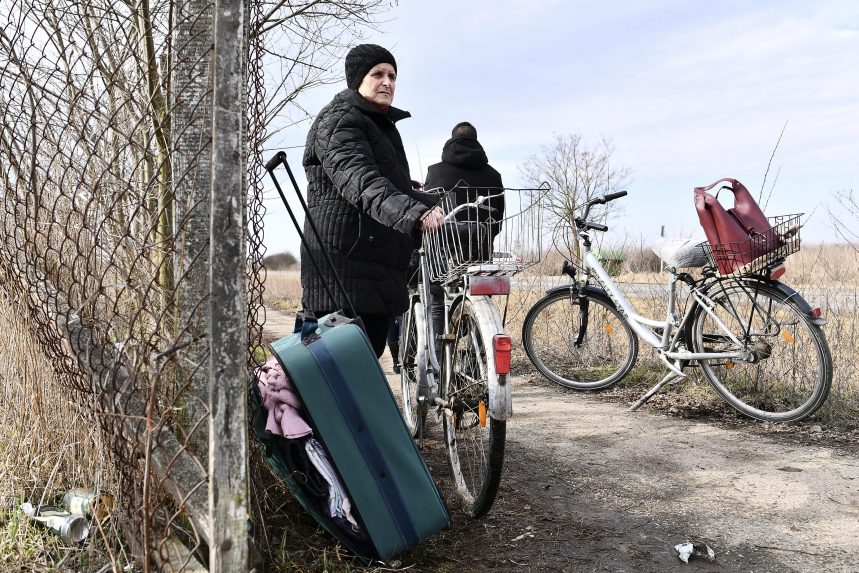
pixel 105 147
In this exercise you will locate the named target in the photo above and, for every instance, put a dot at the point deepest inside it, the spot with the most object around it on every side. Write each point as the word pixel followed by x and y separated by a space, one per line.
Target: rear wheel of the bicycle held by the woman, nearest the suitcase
pixel 475 446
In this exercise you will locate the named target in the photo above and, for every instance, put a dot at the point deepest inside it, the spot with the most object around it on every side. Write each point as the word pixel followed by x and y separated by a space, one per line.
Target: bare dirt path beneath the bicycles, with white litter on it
pixel 588 487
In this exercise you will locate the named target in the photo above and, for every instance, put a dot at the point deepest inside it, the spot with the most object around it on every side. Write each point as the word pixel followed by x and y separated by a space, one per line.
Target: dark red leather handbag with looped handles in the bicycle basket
pixel 737 235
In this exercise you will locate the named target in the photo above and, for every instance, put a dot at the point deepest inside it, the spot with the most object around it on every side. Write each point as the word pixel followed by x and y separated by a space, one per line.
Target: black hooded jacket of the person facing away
pixel 464 163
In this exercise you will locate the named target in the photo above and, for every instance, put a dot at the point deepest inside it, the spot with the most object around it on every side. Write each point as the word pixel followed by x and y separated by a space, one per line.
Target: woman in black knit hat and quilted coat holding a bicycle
pixel 359 194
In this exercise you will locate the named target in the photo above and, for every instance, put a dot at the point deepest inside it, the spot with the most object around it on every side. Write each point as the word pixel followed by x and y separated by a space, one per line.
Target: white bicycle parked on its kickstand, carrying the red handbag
pixel 757 341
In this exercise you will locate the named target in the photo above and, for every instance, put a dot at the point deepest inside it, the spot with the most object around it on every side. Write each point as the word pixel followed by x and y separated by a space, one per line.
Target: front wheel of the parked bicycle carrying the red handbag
pixel 551 335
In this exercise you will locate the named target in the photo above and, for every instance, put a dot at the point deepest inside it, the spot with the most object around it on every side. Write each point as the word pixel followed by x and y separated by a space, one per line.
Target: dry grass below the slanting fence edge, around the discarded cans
pixel 46 448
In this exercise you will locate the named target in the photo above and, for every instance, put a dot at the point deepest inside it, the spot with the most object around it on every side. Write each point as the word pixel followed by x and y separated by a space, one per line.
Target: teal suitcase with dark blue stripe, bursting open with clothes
pixel 349 405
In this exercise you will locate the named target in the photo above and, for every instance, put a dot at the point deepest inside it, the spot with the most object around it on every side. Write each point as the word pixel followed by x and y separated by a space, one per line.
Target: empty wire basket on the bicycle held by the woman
pixel 491 231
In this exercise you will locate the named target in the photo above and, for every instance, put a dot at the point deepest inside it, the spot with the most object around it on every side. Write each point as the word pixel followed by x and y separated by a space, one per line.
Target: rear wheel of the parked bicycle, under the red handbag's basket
pixel 790 374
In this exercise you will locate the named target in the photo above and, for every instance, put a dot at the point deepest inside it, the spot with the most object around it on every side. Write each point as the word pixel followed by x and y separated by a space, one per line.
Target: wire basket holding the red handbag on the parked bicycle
pixel 759 251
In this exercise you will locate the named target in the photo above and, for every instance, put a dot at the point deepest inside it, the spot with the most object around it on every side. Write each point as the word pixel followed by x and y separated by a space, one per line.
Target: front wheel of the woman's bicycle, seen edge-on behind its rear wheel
pixel 412 362
